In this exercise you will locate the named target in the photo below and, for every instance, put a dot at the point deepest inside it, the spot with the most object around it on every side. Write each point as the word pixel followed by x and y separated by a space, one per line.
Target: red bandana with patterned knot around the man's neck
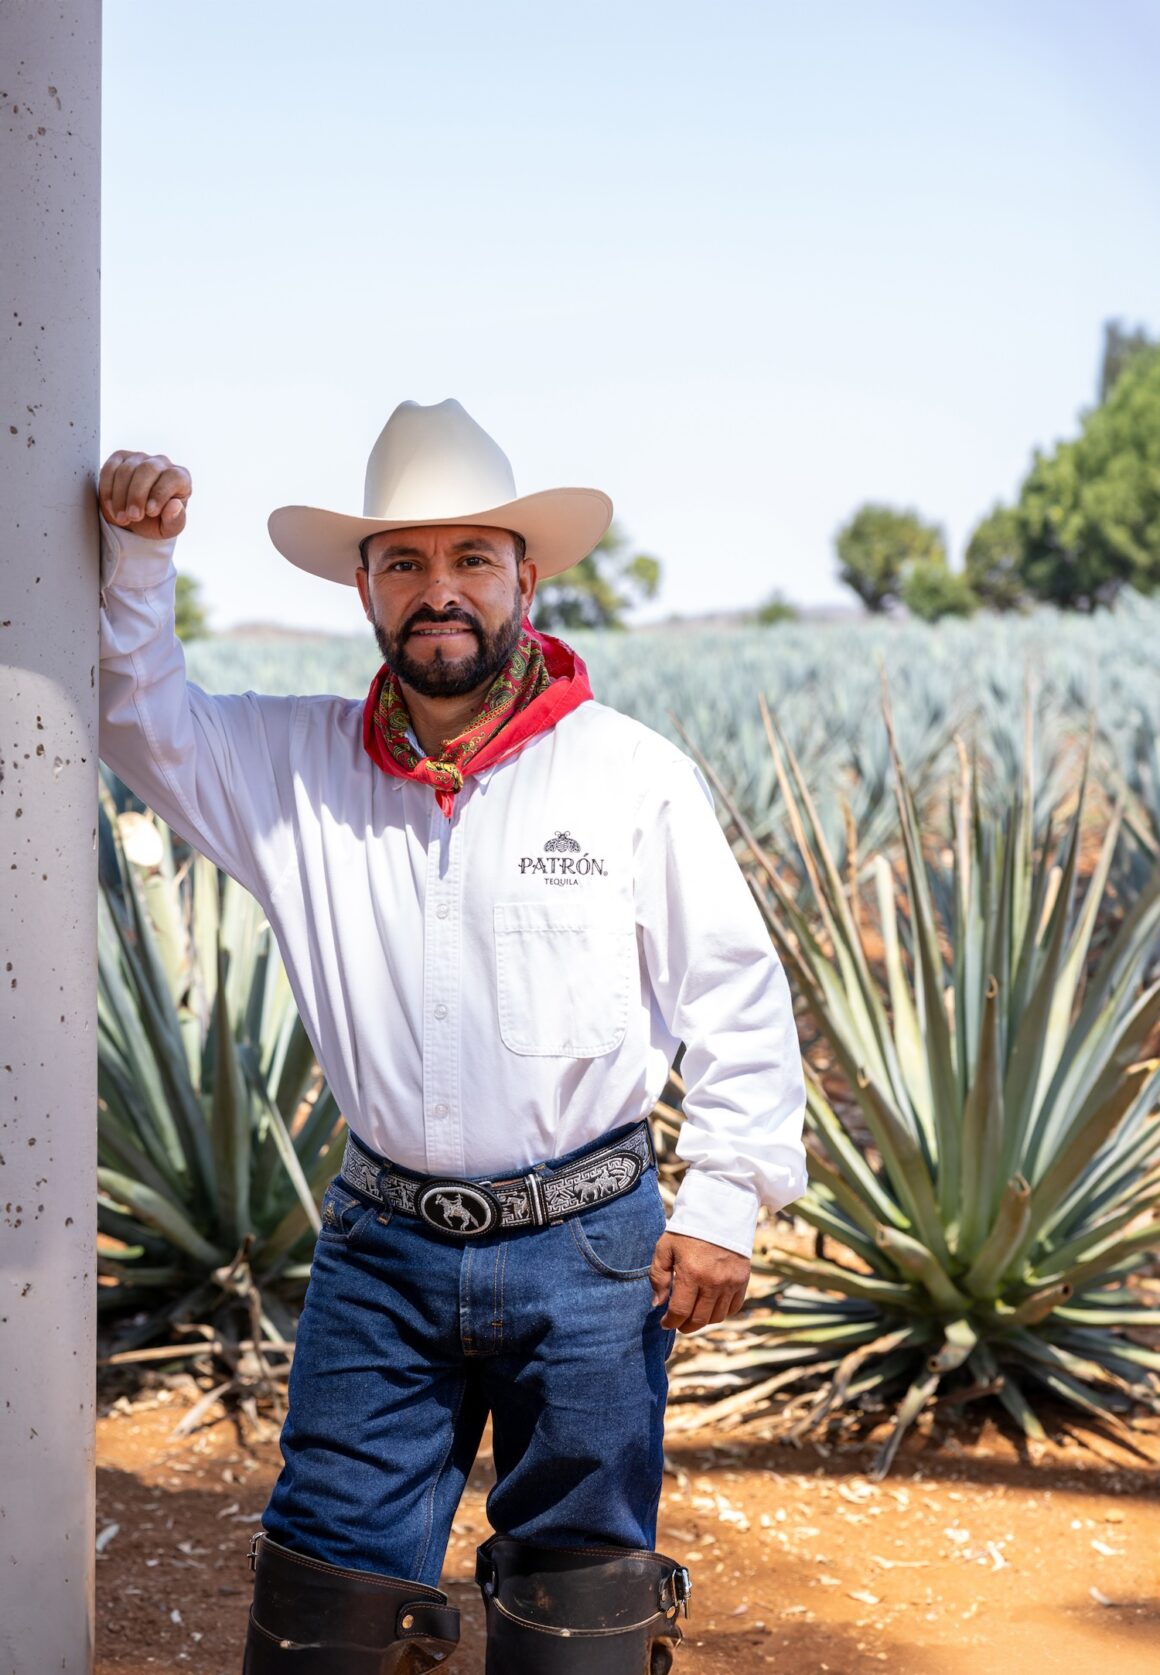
pixel 540 684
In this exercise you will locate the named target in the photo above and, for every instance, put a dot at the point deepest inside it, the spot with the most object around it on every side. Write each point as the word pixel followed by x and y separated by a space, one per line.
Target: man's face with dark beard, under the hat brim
pixel 446 604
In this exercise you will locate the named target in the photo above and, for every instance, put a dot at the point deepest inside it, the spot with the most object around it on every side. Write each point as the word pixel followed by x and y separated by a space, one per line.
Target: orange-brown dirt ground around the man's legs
pixel 970 1557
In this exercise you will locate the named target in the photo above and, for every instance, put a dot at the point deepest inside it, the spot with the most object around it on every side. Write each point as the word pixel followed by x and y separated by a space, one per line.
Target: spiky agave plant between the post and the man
pixel 217 1135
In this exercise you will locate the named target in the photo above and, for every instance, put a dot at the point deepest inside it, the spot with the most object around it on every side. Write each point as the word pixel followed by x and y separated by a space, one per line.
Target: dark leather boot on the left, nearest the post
pixel 314 1619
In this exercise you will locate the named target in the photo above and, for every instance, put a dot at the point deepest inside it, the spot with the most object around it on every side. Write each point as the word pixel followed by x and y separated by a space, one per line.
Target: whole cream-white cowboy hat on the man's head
pixel 438 466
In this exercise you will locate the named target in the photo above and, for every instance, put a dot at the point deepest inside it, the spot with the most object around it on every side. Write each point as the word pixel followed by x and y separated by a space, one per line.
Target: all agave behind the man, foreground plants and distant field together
pixel 953 837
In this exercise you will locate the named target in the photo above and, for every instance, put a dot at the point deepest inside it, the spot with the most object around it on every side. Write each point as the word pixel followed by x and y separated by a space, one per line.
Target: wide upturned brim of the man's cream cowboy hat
pixel 560 527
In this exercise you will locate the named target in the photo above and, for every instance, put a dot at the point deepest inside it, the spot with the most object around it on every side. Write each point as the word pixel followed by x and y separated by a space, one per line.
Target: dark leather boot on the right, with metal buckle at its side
pixel 580 1612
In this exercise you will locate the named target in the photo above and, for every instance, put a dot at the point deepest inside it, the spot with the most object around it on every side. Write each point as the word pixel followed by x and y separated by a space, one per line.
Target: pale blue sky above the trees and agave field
pixel 742 265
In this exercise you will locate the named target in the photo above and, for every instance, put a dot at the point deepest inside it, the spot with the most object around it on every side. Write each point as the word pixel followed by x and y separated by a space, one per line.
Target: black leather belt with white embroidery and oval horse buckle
pixel 536 1200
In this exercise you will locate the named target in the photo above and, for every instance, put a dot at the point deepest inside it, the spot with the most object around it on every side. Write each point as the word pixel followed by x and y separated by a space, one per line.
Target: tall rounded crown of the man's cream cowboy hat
pixel 434 463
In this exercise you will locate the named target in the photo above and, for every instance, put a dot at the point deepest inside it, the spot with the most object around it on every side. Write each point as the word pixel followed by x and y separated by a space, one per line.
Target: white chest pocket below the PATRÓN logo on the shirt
pixel 565 976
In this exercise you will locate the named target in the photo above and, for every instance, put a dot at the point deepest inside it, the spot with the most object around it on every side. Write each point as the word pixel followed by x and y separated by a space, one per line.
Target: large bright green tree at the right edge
pixel 1091 512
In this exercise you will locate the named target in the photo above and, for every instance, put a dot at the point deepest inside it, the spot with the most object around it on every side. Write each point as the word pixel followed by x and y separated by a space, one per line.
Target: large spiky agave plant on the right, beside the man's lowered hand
pixel 990 1235
